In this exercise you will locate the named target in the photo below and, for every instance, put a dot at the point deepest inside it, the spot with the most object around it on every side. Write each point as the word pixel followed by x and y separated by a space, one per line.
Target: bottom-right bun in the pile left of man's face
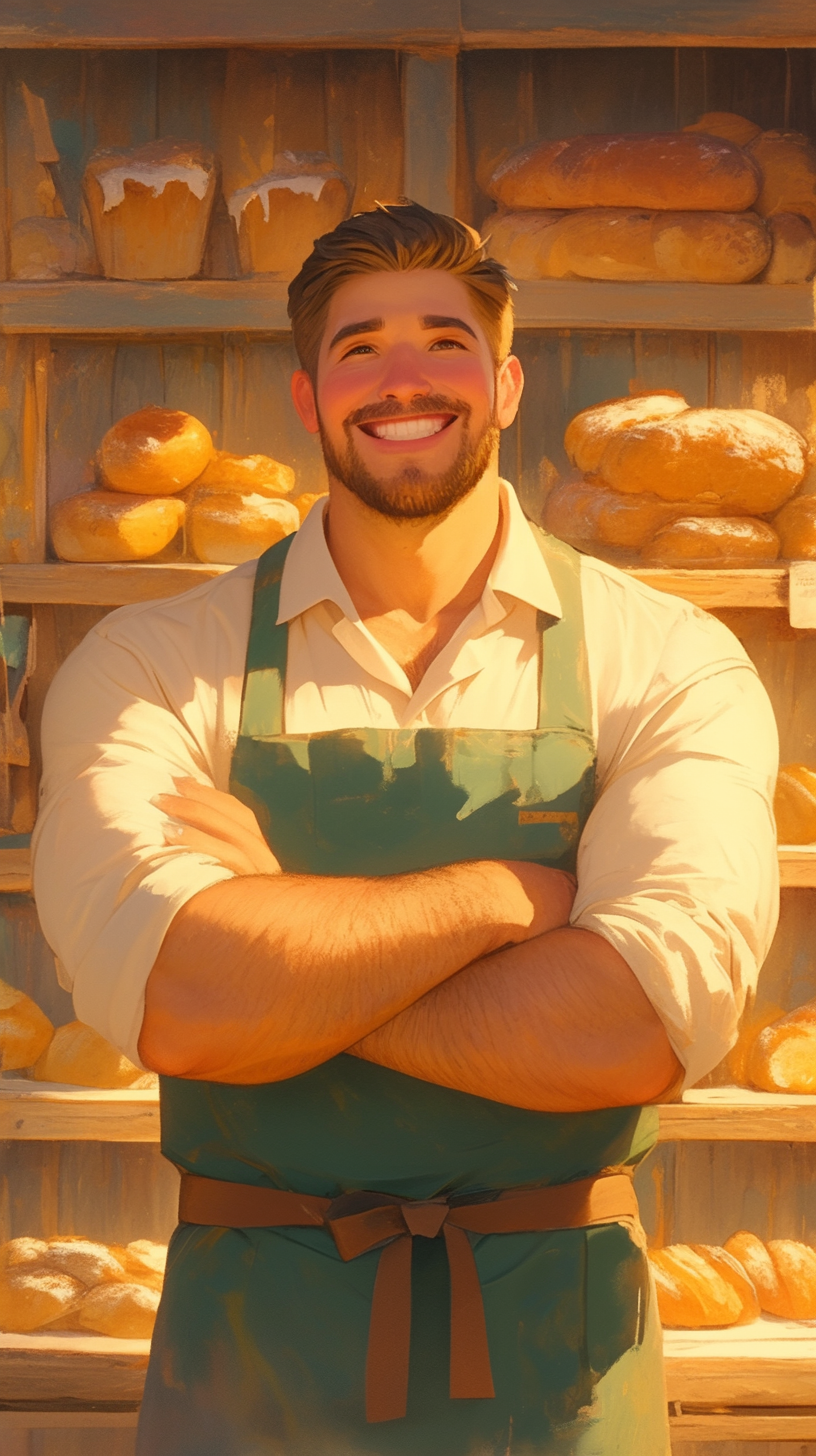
pixel 232 529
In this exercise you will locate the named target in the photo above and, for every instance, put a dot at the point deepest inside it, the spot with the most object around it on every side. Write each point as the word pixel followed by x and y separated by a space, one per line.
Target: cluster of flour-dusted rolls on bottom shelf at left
pixel 79 1285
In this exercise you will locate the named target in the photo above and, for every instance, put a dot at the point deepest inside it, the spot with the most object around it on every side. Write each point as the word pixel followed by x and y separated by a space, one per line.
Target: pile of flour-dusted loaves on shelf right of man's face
pixel 677 487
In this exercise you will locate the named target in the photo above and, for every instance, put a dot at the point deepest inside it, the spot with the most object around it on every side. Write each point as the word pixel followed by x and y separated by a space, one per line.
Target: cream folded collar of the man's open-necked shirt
pixel 310 574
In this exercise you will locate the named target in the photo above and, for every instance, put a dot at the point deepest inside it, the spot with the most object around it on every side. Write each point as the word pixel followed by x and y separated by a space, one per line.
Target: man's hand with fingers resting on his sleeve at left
pixel 218 825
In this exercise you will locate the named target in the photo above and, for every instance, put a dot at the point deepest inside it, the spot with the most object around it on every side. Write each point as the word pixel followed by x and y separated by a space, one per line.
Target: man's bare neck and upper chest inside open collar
pixel 415 567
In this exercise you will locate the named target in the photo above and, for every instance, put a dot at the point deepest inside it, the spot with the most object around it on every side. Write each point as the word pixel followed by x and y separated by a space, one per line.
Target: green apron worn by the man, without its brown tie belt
pixel 260 1346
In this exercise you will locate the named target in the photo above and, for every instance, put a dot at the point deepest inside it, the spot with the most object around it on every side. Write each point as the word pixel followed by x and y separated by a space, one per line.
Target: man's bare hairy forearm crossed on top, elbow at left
pixel 263 978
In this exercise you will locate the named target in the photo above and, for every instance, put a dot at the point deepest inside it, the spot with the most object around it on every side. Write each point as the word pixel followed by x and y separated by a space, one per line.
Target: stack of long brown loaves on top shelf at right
pixel 721 202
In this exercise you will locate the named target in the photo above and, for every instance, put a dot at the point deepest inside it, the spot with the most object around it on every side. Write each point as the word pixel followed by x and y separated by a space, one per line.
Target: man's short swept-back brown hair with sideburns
pixel 399 238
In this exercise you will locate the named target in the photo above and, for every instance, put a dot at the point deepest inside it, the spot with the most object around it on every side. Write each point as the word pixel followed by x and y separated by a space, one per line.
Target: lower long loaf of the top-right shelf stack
pixel 629 247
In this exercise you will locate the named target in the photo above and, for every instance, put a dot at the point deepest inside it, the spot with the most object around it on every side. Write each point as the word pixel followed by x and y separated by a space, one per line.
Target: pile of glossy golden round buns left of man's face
pixel 158 474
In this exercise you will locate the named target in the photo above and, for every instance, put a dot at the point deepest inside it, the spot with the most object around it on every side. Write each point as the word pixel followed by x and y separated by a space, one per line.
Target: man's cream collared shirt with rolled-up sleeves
pixel 677 866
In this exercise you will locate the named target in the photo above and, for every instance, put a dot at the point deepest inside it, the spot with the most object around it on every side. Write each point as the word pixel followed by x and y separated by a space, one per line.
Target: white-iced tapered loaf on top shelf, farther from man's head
pixel 151 209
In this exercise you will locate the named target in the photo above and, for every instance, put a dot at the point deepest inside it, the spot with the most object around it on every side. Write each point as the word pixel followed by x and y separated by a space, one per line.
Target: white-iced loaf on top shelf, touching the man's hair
pixel 280 216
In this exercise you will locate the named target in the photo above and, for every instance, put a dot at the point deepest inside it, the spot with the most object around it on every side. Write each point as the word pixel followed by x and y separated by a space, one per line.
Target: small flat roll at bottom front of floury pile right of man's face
pixel 725 541
